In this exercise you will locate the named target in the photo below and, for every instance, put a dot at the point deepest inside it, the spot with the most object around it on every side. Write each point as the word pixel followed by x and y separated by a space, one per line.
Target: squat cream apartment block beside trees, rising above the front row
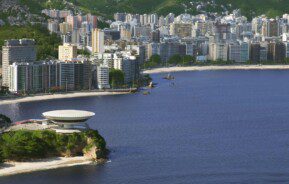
pixel 67 52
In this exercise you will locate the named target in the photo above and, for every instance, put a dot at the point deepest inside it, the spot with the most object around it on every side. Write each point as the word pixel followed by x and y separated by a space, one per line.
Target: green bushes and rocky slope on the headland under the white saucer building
pixel 25 145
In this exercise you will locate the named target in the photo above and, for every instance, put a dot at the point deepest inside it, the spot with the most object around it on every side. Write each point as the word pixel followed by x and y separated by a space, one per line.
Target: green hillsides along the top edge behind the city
pixel 107 7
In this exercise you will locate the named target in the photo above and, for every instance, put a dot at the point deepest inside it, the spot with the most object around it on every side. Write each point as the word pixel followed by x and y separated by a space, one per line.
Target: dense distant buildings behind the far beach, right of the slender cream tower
pixel 230 37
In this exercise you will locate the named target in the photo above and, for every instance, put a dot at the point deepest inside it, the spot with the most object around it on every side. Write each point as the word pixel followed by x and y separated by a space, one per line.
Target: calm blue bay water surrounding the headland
pixel 210 127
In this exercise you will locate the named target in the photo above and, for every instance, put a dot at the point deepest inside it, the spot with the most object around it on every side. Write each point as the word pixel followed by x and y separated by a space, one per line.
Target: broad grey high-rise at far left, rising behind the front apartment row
pixel 22 50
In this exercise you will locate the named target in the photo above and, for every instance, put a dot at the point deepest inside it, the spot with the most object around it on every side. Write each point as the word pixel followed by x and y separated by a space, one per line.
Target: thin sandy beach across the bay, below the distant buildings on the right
pixel 225 67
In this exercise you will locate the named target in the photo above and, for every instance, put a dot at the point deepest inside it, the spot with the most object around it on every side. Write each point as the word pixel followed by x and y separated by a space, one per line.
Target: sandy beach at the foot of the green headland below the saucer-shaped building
pixel 12 168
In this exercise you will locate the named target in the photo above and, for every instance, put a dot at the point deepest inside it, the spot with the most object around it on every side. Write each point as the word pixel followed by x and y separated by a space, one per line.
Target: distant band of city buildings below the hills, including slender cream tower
pixel 230 38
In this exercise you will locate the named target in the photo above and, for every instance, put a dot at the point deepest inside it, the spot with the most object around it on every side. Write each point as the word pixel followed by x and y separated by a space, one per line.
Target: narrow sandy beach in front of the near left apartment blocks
pixel 58 96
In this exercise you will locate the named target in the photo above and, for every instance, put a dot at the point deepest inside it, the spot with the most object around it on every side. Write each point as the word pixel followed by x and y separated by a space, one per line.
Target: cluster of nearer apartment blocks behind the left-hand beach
pixel 22 73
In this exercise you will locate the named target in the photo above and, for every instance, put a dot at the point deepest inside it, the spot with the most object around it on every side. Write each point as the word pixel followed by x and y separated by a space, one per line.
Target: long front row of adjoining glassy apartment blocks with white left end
pixel 41 77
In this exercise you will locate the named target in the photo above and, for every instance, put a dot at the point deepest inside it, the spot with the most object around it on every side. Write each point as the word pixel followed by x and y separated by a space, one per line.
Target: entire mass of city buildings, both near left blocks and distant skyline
pixel 132 39
